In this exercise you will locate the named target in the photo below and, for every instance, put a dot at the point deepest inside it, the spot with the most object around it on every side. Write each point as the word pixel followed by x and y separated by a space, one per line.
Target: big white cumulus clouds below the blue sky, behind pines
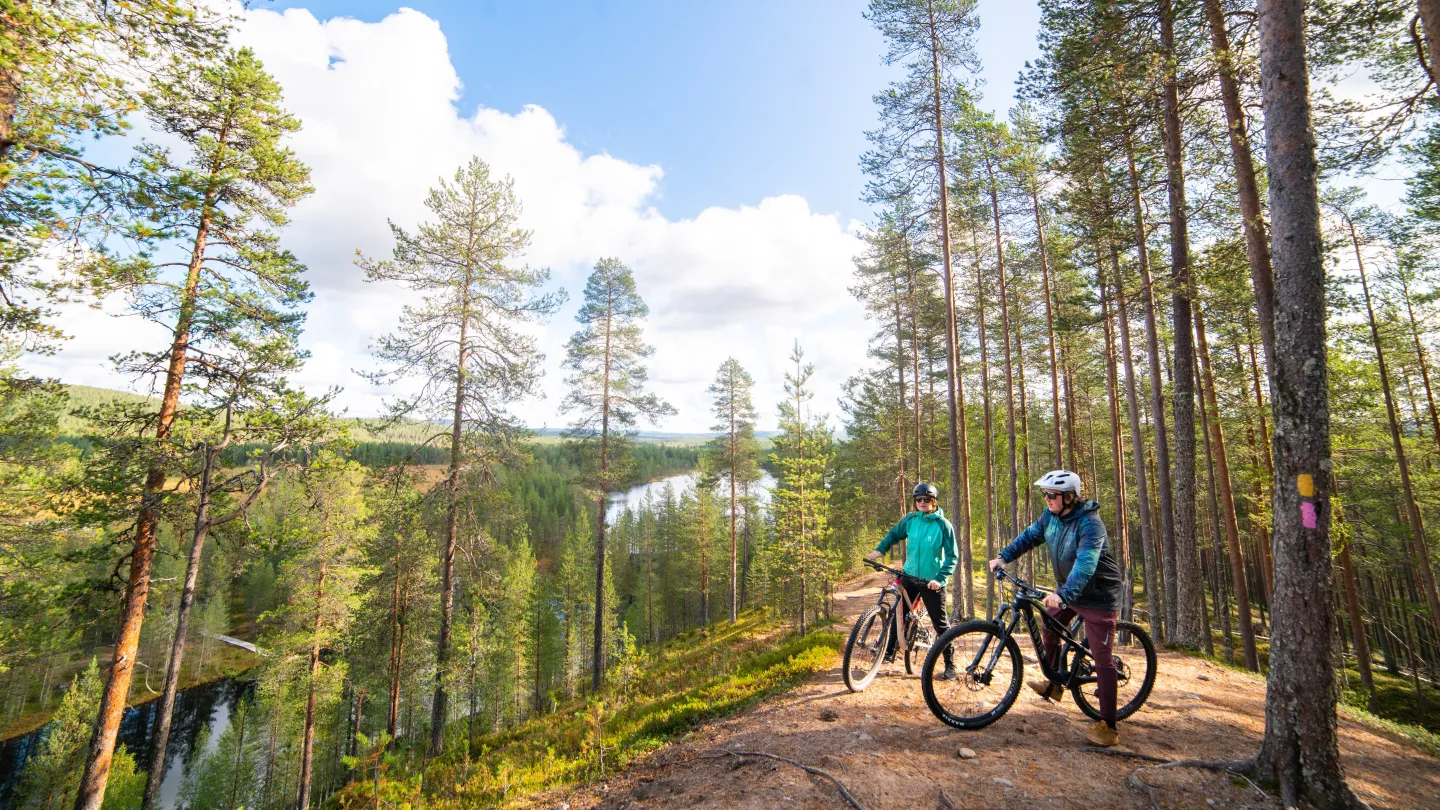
pixel 379 104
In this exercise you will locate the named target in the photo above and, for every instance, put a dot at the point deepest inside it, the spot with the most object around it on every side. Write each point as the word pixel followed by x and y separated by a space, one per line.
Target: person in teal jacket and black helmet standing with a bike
pixel 930 561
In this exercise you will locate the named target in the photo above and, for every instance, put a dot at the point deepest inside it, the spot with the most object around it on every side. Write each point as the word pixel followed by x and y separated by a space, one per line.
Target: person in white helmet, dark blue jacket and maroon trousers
pixel 1089 586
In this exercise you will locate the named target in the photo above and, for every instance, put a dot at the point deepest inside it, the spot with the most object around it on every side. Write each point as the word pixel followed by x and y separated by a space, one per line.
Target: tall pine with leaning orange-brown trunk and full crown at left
pixel 237 293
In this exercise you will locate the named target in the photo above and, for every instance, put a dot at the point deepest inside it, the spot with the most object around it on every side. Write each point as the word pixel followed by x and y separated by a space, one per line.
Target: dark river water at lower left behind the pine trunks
pixel 208 706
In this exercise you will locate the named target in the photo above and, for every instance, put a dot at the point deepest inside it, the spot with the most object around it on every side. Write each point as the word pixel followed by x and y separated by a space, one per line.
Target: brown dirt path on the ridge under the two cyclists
pixel 891 753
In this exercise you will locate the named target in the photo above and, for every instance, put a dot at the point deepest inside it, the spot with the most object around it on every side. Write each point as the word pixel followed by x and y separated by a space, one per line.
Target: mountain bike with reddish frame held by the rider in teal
pixel 870 636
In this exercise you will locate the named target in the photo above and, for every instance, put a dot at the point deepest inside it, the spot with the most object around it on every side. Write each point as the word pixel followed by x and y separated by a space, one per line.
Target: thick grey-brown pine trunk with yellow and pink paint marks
pixel 1300 750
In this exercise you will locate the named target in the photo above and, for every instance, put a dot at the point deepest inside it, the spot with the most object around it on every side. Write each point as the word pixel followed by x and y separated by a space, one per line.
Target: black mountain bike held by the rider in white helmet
pixel 990 664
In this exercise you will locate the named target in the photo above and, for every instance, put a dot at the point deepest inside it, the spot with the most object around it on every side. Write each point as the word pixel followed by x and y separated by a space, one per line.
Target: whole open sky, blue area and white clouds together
pixel 712 148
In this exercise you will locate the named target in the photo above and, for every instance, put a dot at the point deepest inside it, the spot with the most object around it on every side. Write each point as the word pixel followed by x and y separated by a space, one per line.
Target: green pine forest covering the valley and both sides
pixel 1160 270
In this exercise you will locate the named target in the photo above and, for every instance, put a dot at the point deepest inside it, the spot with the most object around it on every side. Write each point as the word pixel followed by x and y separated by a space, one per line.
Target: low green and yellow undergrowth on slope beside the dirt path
pixel 698 677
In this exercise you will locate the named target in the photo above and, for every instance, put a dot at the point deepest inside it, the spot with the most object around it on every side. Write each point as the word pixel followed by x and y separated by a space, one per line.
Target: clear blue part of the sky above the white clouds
pixel 735 102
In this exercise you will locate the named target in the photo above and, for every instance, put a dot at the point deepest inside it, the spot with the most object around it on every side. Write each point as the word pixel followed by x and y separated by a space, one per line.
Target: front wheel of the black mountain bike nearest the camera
pixel 987 675
